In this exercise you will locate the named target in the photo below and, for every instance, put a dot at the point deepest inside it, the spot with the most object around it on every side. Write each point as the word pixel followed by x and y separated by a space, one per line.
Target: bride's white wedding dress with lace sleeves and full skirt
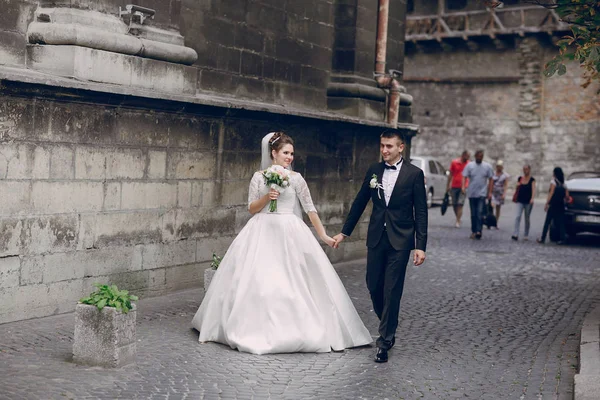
pixel 275 290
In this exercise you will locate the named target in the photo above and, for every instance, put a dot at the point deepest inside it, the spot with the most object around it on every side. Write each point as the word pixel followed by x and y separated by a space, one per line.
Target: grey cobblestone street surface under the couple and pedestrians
pixel 489 319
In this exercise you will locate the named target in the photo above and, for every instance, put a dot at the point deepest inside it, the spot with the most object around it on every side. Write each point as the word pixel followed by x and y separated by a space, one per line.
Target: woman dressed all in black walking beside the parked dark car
pixel 555 206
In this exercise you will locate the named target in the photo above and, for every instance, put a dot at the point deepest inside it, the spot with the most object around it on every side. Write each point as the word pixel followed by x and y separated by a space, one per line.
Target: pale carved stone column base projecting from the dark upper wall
pixel 94 46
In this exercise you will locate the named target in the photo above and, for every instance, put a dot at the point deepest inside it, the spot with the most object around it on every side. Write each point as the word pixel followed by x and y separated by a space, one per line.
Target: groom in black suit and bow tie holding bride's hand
pixel 398 225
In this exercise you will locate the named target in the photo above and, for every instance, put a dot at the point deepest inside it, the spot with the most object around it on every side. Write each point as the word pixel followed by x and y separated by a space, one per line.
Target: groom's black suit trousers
pixel 386 270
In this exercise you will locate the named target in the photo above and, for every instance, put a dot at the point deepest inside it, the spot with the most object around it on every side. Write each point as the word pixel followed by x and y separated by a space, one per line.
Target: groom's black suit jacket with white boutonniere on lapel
pixel 405 217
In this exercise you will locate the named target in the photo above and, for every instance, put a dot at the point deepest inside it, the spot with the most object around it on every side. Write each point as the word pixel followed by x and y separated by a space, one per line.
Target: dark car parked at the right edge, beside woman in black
pixel 583 207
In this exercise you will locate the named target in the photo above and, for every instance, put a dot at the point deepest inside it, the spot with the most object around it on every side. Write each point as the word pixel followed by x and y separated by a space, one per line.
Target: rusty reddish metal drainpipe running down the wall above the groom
pixel 386 81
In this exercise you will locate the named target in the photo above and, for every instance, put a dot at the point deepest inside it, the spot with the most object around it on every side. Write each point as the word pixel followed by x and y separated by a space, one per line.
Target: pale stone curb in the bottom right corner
pixel 587 381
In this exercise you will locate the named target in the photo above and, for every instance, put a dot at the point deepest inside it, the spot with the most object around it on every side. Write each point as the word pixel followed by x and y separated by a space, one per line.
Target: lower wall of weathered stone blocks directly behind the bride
pixel 139 198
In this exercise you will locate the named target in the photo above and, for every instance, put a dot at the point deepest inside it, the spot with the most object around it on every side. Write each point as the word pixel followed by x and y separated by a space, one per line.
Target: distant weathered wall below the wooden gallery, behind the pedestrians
pixel 496 98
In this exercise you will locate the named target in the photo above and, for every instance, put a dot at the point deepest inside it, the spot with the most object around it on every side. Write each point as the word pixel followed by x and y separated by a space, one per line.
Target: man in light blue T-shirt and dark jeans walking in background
pixel 479 174
